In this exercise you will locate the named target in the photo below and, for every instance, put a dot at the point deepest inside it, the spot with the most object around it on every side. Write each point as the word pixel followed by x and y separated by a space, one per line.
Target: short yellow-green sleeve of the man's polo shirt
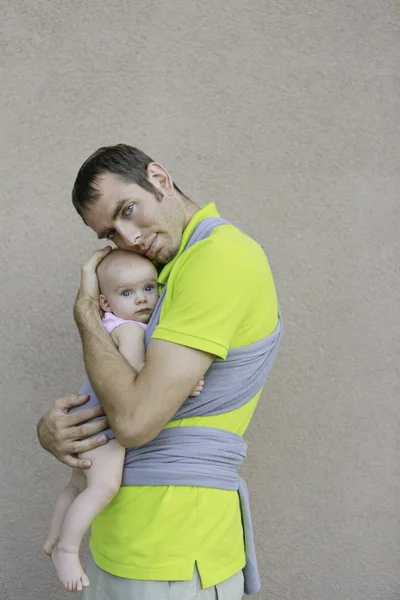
pixel 211 295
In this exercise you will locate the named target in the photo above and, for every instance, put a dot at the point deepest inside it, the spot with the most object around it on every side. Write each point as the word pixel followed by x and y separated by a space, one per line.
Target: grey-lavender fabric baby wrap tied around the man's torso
pixel 205 456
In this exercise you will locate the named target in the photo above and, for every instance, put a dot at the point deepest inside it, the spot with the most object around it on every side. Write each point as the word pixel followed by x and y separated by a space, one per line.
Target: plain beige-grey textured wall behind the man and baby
pixel 287 115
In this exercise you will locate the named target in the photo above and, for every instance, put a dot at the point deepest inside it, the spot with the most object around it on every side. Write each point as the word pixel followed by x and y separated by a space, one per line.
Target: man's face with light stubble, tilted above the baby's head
pixel 135 220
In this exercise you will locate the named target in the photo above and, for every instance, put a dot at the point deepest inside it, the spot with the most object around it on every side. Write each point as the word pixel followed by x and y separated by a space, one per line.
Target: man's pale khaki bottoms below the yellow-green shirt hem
pixel 104 586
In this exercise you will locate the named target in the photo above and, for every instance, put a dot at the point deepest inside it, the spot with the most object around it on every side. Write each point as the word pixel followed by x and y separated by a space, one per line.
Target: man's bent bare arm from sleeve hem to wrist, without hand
pixel 138 406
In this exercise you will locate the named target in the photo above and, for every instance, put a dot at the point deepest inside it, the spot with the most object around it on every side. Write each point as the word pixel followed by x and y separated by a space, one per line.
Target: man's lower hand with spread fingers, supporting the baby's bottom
pixel 64 434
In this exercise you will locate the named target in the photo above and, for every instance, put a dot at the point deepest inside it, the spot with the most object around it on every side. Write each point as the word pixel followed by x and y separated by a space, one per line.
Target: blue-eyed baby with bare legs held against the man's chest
pixel 128 296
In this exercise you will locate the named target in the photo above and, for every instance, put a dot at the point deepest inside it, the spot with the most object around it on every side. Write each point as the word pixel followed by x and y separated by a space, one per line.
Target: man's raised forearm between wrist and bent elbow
pixel 112 378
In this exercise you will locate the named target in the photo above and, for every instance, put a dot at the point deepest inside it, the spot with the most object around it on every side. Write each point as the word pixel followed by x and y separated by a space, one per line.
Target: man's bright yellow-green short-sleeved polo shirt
pixel 220 295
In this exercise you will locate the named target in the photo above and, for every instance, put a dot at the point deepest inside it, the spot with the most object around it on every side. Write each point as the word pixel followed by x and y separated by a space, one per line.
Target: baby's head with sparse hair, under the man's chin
pixel 128 285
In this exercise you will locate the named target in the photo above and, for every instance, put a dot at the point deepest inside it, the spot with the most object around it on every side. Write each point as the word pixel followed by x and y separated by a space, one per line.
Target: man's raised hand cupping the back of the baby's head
pixel 87 299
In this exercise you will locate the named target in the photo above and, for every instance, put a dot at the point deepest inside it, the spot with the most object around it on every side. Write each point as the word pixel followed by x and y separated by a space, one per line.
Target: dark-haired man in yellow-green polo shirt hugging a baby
pixel 220 296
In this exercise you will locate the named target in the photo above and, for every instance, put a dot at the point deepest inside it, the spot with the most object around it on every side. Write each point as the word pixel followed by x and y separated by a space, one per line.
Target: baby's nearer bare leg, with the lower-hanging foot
pixel 103 482
